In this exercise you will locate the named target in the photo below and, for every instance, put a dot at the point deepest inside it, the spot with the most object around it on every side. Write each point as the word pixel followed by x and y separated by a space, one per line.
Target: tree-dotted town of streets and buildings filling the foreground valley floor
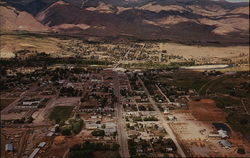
pixel 88 111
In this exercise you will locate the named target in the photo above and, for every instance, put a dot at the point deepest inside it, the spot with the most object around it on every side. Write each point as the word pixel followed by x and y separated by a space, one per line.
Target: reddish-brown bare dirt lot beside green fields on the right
pixel 206 110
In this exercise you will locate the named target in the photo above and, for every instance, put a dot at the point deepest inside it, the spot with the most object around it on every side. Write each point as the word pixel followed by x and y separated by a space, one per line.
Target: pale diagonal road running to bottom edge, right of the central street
pixel 163 121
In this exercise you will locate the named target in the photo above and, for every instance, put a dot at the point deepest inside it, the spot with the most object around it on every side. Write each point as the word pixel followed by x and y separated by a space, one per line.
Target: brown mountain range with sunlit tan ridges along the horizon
pixel 203 21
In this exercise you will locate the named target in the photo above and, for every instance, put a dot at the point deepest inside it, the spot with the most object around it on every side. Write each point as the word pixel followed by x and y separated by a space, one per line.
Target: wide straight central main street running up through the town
pixel 121 127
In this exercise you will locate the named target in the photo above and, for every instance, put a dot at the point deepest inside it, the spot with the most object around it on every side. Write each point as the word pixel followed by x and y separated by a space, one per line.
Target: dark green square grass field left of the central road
pixel 61 113
